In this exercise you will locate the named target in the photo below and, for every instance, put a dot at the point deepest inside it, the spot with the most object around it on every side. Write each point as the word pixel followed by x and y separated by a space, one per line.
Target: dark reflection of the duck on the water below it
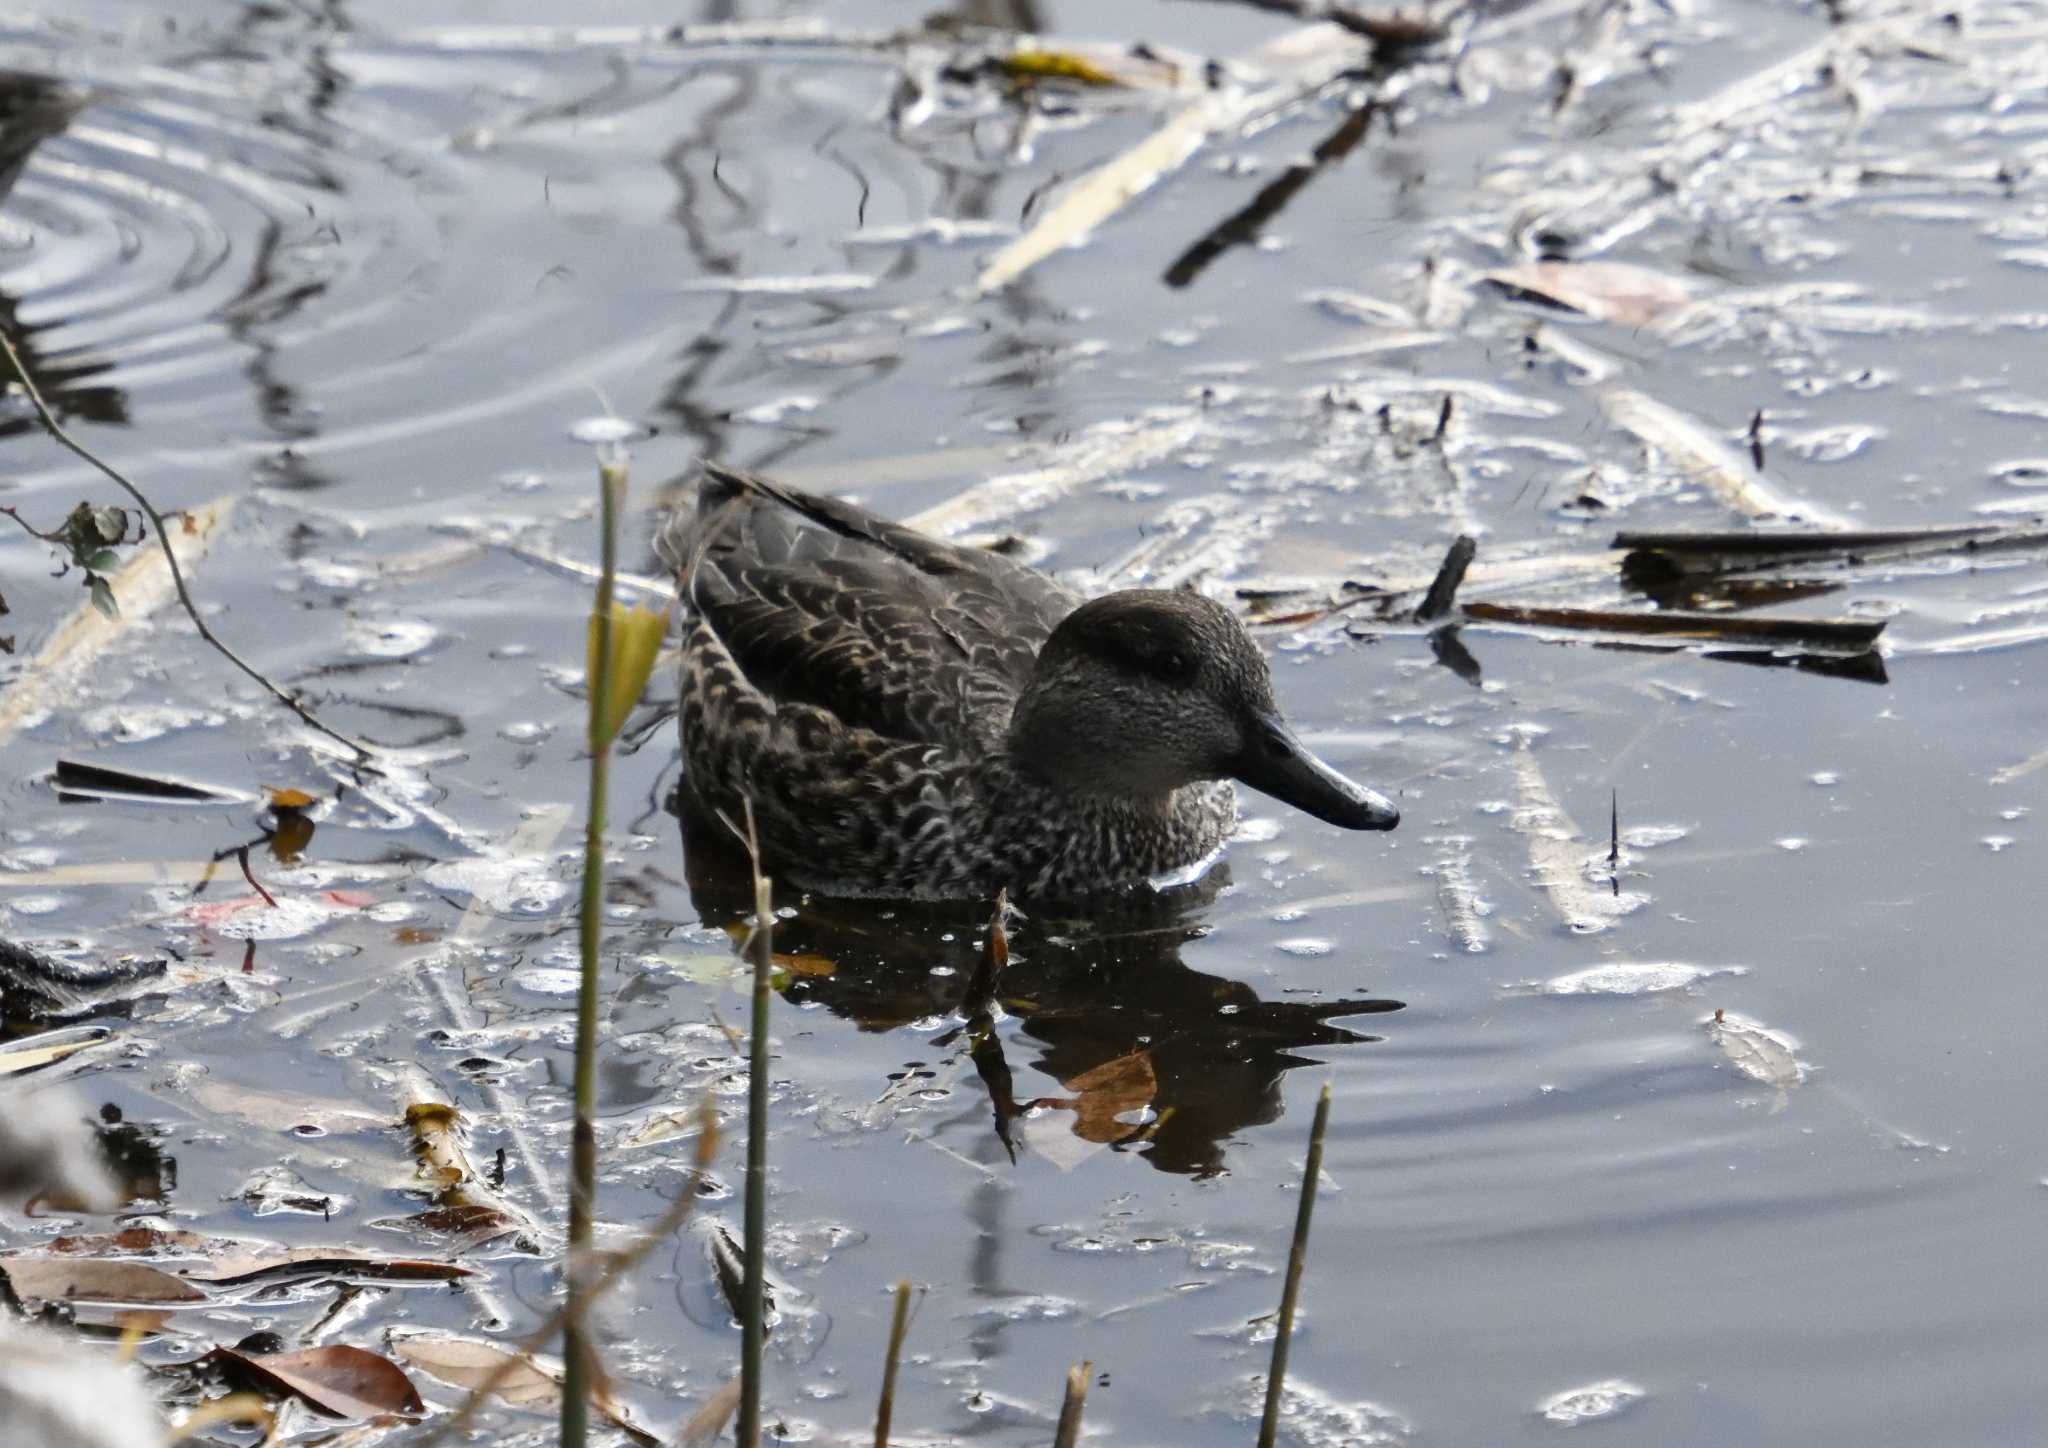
pixel 1150 1056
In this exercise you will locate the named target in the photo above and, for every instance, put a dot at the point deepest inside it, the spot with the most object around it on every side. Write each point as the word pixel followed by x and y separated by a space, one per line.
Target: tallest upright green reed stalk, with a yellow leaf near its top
pixel 591 929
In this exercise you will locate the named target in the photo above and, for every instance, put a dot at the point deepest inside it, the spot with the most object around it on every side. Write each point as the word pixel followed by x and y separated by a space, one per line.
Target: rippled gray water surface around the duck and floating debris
pixel 370 271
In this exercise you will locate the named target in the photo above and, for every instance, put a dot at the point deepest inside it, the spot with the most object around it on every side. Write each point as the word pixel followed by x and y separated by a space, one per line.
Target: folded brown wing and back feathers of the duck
pixel 892 632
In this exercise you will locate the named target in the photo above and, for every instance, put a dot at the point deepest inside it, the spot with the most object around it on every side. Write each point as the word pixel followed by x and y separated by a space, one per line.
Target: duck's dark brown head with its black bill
pixel 1146 691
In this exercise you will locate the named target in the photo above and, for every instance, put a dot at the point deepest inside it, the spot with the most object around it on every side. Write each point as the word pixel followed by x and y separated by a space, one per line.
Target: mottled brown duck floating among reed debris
pixel 912 718
